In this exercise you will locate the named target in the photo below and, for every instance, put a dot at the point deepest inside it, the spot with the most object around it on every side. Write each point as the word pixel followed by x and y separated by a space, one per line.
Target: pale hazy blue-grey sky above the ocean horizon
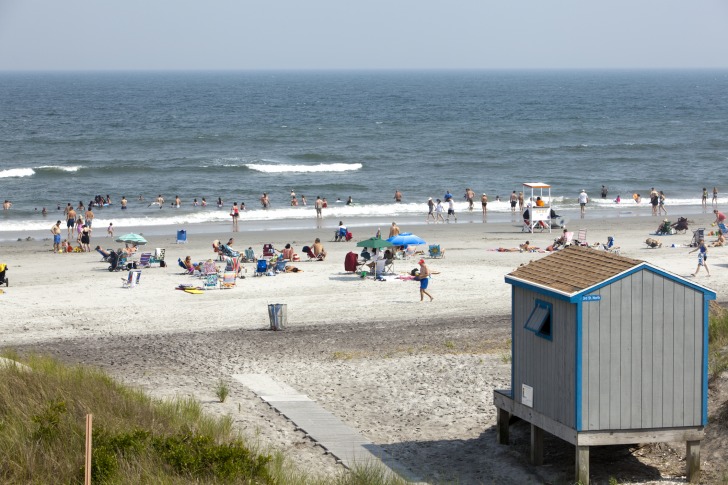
pixel 375 34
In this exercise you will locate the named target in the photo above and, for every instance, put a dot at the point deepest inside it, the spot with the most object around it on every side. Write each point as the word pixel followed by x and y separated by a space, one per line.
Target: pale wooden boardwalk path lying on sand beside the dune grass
pixel 343 442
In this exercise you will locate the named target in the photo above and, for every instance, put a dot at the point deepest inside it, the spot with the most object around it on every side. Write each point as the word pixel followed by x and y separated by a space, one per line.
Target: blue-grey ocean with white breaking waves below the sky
pixel 67 137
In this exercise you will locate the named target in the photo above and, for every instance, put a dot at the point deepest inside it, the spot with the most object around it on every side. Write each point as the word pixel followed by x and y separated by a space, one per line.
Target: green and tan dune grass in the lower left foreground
pixel 136 439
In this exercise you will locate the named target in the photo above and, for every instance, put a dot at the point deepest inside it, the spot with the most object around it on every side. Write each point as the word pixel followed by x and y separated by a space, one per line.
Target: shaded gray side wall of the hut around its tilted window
pixel 546 365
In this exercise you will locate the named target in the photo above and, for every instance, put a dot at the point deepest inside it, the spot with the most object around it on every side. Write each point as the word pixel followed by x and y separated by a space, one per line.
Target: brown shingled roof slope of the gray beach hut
pixel 574 269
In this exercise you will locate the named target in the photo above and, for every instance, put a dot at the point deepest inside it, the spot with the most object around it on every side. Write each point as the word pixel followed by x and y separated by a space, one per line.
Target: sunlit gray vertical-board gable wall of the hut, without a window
pixel 642 355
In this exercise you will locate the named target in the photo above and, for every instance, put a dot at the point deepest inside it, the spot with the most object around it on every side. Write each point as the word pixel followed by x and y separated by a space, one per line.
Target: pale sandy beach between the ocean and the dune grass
pixel 413 377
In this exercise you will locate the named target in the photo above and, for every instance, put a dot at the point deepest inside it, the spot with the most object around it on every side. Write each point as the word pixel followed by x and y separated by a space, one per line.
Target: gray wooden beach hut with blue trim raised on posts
pixel 606 350
